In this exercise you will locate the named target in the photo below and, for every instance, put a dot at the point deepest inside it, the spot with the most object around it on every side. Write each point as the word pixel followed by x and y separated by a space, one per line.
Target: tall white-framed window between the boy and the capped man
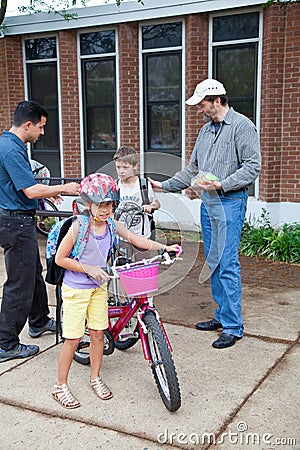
pixel 162 89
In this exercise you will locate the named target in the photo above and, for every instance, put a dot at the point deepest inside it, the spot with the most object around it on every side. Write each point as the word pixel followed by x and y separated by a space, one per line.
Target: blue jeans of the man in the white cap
pixel 222 219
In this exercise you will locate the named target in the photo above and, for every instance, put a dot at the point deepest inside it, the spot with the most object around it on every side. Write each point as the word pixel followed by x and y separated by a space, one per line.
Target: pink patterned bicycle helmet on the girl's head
pixel 98 188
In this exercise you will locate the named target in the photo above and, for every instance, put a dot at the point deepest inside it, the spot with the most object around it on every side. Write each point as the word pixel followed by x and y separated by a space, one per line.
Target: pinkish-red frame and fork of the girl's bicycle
pixel 124 313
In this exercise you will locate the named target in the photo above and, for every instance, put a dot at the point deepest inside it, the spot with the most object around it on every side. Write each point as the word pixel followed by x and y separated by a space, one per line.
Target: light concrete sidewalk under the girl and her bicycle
pixel 244 397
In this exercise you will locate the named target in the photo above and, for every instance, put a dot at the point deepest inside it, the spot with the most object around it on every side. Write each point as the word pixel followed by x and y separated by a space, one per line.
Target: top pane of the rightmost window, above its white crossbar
pixel 237 26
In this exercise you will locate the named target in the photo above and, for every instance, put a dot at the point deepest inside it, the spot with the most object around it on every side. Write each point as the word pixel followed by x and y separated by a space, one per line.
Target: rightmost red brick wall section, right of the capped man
pixel 280 110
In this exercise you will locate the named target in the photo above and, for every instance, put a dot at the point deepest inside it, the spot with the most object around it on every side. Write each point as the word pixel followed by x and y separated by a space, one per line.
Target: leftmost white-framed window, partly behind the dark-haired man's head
pixel 42 87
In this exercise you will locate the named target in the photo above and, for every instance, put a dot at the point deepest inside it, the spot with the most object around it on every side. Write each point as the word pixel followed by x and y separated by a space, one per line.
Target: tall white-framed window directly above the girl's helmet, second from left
pixel 98 72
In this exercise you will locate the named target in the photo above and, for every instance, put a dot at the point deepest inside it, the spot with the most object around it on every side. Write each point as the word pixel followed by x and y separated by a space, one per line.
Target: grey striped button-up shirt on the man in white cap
pixel 233 155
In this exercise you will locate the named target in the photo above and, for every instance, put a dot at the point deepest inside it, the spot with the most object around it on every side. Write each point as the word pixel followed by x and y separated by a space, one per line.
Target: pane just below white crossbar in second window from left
pixel 100 81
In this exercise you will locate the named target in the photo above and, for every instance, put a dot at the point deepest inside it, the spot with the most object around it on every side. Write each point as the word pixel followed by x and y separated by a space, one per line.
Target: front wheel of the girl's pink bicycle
pixel 162 364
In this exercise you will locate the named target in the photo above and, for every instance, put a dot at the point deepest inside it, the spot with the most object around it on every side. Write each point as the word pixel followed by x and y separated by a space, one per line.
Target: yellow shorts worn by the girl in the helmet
pixel 83 307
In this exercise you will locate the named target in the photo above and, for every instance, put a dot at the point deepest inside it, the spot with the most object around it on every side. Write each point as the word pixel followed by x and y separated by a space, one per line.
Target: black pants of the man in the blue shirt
pixel 24 292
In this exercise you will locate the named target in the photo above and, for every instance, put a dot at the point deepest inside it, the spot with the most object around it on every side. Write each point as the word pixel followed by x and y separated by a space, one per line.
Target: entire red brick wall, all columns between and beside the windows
pixel 280 110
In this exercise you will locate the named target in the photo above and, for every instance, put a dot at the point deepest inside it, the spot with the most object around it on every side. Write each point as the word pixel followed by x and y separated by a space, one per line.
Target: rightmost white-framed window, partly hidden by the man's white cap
pixel 235 40
